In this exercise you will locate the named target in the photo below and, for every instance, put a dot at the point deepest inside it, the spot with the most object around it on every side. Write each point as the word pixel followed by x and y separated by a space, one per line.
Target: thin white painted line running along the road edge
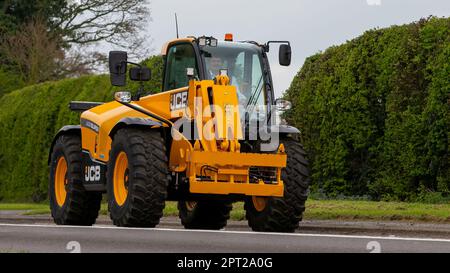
pixel 237 232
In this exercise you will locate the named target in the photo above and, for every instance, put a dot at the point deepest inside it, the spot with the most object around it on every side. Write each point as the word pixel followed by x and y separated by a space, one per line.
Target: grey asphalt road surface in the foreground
pixel 51 238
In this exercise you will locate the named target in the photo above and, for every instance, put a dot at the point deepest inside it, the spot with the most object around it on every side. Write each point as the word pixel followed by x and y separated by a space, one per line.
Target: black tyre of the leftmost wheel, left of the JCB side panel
pixel 80 207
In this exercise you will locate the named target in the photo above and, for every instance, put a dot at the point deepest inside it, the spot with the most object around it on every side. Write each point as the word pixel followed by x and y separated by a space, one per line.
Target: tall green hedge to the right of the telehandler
pixel 374 112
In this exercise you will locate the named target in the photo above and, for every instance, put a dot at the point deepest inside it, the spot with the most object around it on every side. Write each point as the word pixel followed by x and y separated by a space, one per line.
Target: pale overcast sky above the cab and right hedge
pixel 310 25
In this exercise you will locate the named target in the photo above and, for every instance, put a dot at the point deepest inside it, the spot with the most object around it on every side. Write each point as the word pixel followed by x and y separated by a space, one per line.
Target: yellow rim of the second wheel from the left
pixel 121 179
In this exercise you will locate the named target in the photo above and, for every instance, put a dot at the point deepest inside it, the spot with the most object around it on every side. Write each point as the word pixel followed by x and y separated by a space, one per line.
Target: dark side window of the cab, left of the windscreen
pixel 179 58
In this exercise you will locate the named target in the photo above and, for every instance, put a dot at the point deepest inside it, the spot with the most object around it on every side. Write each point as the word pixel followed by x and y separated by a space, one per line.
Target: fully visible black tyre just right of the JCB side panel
pixel 147 178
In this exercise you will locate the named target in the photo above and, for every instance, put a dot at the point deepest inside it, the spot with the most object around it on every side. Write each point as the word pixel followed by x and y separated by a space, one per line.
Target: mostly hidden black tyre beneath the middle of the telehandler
pixel 211 214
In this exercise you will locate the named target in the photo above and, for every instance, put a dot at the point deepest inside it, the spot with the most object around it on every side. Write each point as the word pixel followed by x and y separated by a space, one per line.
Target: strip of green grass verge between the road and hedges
pixel 315 210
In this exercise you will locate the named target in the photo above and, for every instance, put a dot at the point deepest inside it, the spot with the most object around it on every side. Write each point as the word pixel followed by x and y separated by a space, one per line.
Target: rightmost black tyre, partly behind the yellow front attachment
pixel 284 214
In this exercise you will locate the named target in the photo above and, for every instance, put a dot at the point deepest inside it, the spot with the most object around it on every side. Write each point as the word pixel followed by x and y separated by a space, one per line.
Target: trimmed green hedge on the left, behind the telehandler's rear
pixel 29 119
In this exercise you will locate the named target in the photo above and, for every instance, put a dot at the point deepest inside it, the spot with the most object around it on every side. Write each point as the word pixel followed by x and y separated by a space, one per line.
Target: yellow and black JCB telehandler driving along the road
pixel 212 137
